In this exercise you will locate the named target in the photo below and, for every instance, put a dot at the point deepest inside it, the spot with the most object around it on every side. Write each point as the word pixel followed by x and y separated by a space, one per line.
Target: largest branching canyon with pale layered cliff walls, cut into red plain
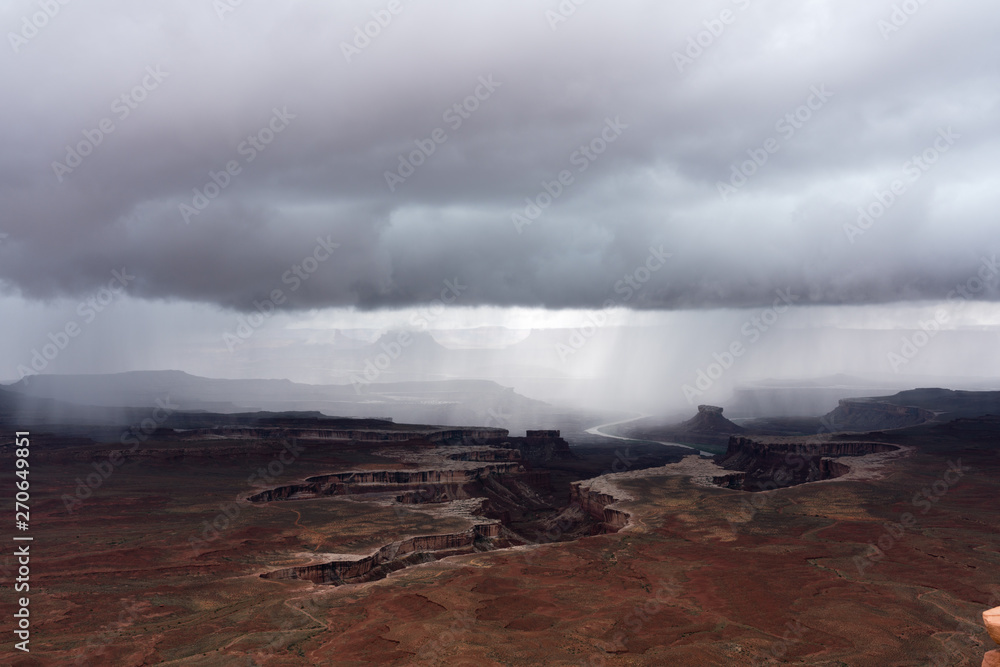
pixel 515 496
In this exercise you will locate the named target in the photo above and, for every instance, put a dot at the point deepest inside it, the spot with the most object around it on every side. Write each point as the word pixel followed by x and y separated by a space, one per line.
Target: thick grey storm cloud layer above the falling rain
pixel 647 112
